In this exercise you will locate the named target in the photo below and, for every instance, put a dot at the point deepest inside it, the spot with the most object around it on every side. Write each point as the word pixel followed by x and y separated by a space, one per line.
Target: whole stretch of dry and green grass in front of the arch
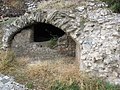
pixel 61 74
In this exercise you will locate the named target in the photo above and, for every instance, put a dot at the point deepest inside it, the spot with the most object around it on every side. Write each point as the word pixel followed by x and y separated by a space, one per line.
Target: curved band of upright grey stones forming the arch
pixel 60 19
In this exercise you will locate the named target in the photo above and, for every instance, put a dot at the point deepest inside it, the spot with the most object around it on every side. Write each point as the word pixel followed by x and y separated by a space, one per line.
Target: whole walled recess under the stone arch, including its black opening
pixel 43 41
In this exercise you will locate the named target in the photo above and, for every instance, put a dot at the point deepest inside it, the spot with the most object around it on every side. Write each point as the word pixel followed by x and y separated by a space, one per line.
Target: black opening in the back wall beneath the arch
pixel 45 32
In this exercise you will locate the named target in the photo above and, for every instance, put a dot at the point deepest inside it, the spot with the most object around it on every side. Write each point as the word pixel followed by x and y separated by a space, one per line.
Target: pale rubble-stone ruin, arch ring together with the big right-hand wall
pixel 94 28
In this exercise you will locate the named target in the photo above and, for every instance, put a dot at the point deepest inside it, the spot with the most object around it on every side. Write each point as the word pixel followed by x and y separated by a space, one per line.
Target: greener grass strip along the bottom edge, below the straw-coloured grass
pixel 87 85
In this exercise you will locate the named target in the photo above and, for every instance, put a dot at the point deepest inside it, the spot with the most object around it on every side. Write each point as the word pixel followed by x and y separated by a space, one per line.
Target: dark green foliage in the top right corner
pixel 114 5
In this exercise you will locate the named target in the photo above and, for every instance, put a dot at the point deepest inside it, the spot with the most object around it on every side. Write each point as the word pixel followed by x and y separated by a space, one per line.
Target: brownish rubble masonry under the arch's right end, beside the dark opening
pixel 66 46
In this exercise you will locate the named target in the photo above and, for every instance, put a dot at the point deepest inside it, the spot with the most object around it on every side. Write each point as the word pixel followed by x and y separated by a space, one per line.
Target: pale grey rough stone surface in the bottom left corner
pixel 8 83
